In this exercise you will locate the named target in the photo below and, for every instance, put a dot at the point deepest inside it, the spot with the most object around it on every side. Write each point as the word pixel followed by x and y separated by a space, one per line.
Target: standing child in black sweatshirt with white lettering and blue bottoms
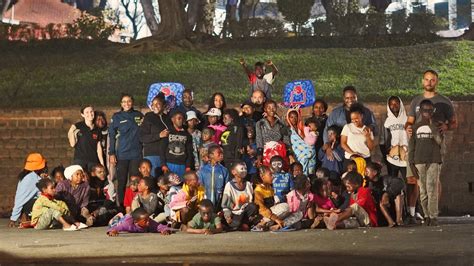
pixel 177 156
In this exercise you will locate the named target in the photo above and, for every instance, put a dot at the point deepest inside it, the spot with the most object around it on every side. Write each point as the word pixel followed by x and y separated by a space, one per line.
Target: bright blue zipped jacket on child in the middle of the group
pixel 213 178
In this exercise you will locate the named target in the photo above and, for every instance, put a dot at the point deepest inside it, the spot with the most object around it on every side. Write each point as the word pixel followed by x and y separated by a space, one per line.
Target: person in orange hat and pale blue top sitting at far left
pixel 26 190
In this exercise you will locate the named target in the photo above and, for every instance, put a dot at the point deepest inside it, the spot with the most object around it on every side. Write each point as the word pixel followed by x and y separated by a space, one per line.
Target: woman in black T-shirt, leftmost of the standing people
pixel 85 137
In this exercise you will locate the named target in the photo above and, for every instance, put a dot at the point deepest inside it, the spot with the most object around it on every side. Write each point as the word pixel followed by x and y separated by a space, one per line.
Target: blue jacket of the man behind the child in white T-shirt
pixel 338 118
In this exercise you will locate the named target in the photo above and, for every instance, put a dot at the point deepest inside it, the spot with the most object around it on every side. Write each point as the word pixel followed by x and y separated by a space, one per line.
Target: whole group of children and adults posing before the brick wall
pixel 253 169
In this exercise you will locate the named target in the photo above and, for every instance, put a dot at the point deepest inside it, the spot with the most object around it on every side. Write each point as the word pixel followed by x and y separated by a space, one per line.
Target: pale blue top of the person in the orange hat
pixel 25 191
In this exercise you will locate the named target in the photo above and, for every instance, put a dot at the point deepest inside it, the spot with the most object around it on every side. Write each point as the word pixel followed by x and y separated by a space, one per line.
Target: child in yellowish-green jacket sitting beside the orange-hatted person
pixel 47 211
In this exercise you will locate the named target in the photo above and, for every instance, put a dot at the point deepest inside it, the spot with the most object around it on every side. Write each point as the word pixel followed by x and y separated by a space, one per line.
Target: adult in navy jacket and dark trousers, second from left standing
pixel 125 149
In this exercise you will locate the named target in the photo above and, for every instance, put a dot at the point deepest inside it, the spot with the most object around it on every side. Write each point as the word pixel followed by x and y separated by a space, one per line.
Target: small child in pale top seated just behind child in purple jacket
pixel 145 198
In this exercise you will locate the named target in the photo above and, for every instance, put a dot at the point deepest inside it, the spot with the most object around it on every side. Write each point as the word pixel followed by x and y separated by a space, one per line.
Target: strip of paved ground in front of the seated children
pixel 447 244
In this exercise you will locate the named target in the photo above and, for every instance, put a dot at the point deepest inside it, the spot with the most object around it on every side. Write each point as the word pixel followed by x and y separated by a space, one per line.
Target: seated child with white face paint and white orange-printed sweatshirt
pixel 239 210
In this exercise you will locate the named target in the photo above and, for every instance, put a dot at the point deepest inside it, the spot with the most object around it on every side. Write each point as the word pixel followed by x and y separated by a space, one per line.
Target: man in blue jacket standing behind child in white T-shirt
pixel 340 116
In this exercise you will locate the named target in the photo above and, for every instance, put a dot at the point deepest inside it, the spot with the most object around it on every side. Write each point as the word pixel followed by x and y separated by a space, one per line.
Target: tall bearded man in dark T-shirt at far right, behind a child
pixel 444 116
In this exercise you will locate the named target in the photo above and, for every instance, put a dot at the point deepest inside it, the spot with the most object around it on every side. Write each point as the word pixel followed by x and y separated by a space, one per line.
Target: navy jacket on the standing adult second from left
pixel 124 133
